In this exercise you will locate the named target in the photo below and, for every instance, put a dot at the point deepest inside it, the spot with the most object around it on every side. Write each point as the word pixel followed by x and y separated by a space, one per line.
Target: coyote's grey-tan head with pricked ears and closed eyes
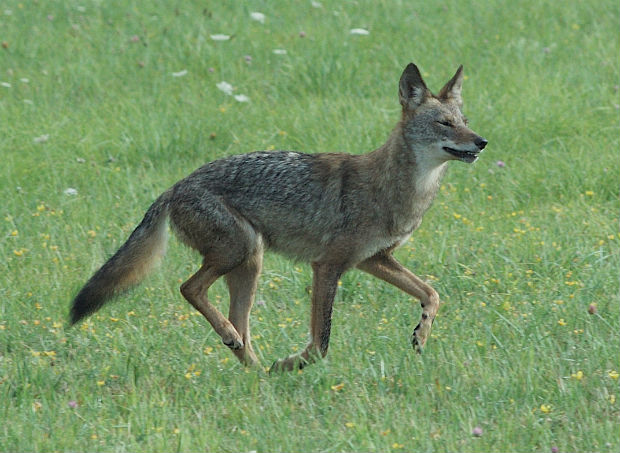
pixel 434 126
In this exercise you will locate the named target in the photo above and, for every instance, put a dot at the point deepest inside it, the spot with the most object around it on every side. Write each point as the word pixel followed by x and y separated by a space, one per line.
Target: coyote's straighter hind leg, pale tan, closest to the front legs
pixel 242 282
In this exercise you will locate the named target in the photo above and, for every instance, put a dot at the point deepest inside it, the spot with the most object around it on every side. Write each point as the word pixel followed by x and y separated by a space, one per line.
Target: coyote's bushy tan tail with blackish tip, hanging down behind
pixel 129 265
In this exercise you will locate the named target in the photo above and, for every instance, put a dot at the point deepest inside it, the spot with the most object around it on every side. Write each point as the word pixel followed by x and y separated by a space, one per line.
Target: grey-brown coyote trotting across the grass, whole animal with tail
pixel 337 211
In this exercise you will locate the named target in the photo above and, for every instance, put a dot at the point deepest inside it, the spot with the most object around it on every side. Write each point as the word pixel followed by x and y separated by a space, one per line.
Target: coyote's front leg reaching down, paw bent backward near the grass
pixel 324 286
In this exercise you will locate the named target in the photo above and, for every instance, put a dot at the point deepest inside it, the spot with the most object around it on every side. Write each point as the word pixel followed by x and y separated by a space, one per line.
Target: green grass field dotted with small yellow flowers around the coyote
pixel 103 106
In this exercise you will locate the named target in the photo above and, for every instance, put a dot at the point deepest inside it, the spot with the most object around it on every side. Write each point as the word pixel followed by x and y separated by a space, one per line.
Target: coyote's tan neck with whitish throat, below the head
pixel 407 179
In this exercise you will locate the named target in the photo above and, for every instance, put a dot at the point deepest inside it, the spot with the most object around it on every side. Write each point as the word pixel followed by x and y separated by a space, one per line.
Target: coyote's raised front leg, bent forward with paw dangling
pixel 385 267
